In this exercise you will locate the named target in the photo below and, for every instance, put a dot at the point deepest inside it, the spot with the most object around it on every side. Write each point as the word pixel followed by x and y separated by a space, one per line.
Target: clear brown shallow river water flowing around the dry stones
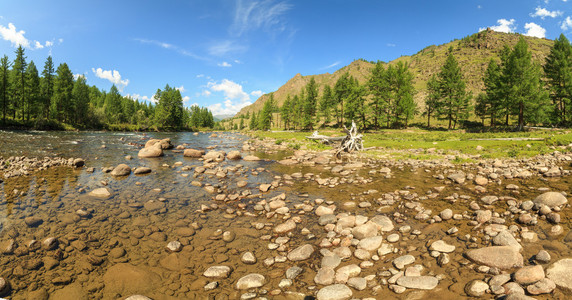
pixel 115 247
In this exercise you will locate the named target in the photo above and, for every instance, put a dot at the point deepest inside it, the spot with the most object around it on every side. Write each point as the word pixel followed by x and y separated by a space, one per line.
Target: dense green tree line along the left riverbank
pixel 56 97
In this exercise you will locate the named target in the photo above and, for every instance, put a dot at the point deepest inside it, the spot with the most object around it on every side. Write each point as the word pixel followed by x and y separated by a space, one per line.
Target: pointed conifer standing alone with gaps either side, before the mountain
pixel 454 100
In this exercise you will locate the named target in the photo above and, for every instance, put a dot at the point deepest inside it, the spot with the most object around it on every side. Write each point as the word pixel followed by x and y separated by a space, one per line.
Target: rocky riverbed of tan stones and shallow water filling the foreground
pixel 257 220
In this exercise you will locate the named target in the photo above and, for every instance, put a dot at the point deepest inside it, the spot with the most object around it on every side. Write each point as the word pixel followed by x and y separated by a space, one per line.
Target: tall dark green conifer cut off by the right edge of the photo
pixel 558 70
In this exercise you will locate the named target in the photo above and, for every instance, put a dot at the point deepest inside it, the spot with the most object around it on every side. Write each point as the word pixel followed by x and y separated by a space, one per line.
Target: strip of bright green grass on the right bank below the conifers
pixel 448 142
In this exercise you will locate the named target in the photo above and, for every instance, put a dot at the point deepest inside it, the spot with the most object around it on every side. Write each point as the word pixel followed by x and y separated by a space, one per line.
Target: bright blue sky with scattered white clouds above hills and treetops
pixel 224 54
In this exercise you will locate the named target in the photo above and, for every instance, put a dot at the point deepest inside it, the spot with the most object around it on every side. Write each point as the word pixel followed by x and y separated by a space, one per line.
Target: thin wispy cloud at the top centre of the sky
pixel 252 15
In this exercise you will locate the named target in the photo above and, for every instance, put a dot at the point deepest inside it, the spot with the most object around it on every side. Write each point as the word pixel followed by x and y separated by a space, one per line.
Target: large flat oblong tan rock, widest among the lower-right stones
pixel 502 257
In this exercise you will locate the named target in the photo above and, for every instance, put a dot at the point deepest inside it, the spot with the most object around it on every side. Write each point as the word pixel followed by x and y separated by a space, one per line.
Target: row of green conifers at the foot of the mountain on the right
pixel 517 92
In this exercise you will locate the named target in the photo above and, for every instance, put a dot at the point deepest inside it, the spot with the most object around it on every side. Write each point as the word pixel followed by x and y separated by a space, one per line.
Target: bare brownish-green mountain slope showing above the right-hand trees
pixel 472 52
